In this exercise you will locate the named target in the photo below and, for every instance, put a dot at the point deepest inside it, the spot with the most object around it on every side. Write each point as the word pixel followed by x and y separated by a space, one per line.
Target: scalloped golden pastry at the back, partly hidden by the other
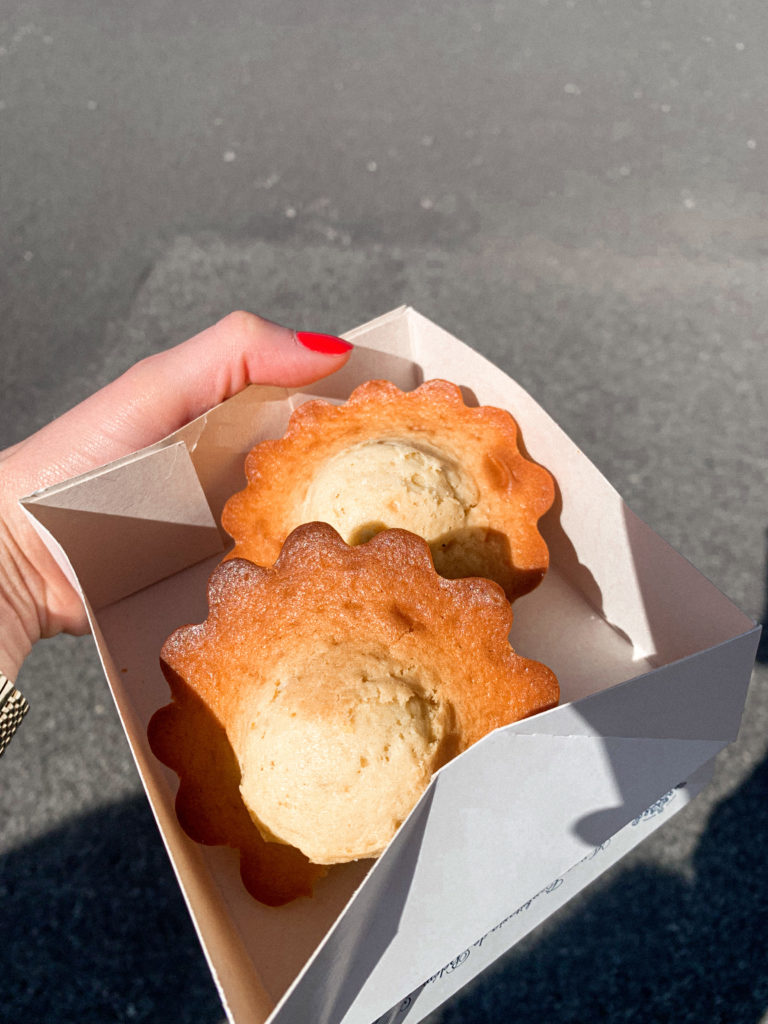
pixel 421 461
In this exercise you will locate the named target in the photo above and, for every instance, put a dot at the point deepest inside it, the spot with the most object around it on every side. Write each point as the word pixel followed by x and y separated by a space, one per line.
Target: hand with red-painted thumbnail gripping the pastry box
pixel 152 400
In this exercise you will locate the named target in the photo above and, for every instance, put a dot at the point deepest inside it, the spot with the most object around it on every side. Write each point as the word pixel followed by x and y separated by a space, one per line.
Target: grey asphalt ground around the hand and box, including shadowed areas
pixel 576 188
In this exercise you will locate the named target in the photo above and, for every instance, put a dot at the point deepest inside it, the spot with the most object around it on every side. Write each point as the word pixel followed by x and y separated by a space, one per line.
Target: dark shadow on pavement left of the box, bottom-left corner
pixel 94 928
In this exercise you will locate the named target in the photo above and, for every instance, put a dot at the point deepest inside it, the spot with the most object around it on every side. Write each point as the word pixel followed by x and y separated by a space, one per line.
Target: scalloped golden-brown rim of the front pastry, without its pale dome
pixel 322 594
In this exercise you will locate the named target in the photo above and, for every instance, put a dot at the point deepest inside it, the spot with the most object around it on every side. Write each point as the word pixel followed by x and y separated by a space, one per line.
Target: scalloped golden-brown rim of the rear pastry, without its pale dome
pixel 500 539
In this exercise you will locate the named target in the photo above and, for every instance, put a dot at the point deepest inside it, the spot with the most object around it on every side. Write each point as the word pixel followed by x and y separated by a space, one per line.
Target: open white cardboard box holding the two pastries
pixel 653 661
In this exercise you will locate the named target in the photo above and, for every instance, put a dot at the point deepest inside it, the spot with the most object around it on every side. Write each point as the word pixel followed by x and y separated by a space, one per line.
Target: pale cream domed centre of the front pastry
pixel 335 758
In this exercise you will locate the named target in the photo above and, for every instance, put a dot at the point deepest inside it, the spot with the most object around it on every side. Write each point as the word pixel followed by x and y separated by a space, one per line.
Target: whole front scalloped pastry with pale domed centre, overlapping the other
pixel 332 687
